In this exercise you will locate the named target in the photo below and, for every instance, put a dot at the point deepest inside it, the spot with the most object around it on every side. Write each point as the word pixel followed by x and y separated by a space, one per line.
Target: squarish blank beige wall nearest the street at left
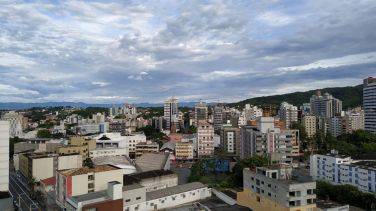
pixel 42 168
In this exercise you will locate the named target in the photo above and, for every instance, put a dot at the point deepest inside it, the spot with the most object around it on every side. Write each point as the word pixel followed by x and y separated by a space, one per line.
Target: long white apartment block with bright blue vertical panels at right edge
pixel 353 169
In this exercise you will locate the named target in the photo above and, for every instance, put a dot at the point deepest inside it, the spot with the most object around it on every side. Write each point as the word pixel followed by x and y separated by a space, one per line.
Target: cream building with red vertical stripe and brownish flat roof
pixel 78 181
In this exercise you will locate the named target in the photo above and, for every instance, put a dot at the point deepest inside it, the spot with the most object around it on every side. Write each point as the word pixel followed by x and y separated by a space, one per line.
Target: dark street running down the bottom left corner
pixel 16 189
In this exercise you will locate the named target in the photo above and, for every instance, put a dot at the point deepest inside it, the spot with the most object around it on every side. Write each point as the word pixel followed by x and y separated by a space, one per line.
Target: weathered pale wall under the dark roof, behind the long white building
pixel 156 183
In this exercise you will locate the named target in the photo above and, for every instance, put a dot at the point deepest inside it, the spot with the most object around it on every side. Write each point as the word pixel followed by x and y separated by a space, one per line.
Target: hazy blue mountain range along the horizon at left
pixel 11 105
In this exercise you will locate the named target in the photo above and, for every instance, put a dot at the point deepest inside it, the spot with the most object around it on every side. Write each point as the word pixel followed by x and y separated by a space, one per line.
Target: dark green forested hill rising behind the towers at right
pixel 351 97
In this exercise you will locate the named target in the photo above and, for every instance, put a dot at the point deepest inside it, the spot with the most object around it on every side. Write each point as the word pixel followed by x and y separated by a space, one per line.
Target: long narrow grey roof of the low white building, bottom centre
pixel 174 190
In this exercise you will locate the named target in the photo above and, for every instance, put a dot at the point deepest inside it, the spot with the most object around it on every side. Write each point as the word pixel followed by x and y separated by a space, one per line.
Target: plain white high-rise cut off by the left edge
pixel 4 155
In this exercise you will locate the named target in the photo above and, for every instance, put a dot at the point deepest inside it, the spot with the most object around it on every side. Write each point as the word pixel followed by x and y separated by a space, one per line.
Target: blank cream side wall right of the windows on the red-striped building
pixel 102 178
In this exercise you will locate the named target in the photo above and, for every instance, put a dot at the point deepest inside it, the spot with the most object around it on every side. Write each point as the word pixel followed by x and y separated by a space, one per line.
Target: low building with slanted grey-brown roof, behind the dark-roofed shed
pixel 153 161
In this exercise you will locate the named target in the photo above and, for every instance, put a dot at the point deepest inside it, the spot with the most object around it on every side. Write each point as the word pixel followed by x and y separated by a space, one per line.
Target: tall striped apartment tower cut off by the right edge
pixel 369 104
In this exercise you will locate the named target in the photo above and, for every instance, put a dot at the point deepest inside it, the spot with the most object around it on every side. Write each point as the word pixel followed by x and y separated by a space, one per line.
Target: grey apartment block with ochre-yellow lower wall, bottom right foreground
pixel 276 188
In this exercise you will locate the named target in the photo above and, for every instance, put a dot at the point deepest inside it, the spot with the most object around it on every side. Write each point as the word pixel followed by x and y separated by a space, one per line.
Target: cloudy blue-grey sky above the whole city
pixel 126 51
